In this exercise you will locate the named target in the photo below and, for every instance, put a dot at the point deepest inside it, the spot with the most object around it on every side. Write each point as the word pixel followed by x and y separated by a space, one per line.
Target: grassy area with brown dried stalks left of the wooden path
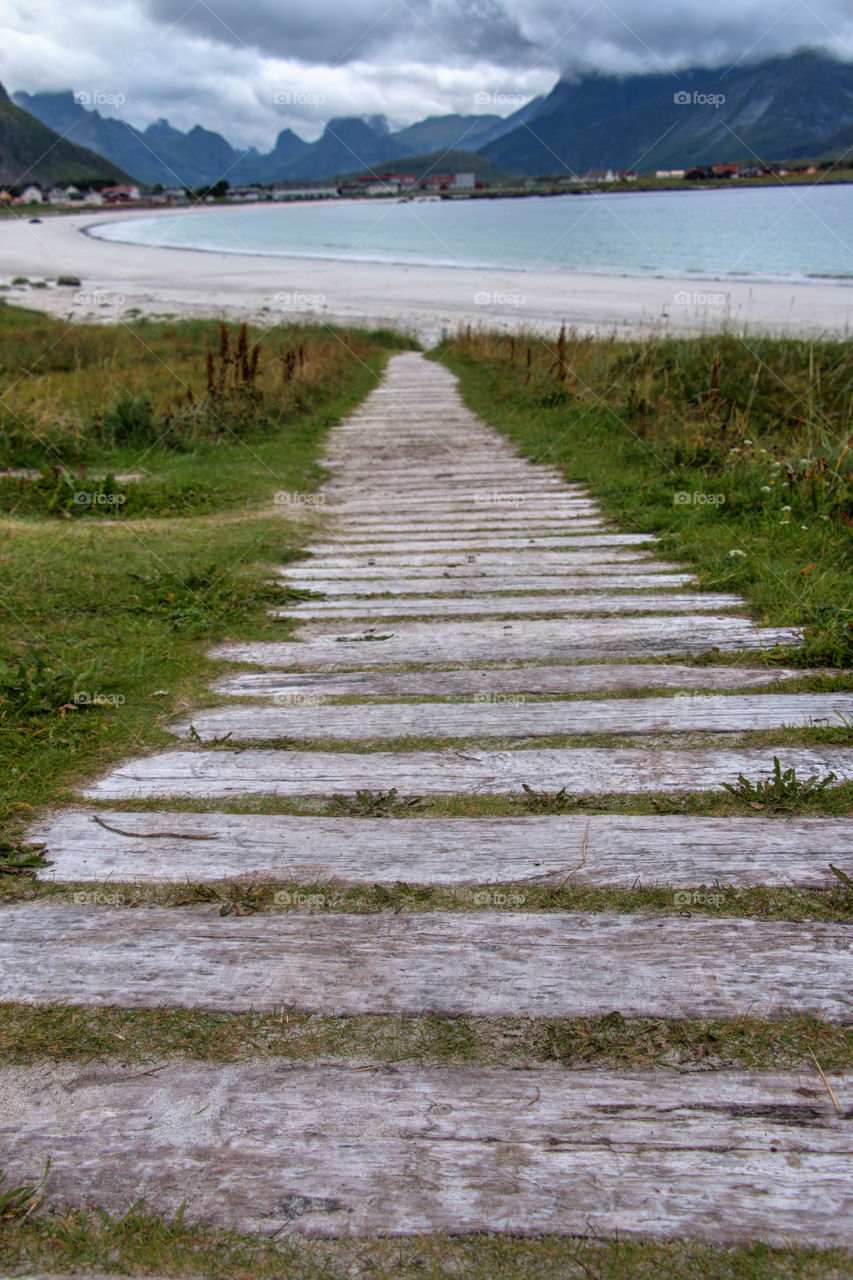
pixel 104 624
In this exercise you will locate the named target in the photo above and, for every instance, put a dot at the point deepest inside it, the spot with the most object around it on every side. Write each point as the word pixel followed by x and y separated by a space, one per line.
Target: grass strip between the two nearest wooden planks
pixel 76 1034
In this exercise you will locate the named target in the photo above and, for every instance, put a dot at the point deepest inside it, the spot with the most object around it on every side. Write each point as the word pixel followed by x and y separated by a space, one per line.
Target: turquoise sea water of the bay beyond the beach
pixel 767 234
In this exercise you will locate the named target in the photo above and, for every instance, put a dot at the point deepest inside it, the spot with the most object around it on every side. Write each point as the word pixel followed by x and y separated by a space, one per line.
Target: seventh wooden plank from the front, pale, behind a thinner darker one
pixel 564 639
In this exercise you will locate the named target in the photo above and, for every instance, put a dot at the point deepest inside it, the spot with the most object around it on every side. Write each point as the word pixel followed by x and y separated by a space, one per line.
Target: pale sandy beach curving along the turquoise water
pixel 120 280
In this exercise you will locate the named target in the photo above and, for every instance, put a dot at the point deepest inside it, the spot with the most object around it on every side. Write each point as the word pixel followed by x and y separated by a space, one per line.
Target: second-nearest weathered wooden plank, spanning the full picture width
pixel 523 964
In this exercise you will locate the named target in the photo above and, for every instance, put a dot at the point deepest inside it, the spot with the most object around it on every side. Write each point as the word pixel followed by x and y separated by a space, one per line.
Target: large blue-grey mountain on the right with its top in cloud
pixel 783 108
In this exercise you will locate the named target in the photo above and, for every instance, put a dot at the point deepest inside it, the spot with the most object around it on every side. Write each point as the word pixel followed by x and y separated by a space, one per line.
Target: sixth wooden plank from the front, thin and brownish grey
pixel 587 678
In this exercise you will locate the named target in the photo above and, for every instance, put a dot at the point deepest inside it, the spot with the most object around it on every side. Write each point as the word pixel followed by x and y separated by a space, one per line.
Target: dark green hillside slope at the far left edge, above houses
pixel 31 152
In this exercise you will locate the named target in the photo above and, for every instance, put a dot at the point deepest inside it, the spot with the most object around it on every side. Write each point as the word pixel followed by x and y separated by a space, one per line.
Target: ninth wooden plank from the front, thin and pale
pixel 618 579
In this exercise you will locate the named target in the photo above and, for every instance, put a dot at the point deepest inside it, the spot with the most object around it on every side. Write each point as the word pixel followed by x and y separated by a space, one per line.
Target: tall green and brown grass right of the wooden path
pixel 736 450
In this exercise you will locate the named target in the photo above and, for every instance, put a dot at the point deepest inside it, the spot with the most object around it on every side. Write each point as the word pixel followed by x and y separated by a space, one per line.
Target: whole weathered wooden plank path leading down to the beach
pixel 477 578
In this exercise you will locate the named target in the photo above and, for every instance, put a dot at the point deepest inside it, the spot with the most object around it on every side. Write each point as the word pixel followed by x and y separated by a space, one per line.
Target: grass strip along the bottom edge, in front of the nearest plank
pixel 144 1244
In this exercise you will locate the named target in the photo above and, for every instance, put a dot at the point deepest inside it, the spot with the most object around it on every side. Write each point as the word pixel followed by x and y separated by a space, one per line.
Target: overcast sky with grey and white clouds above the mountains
pixel 250 68
